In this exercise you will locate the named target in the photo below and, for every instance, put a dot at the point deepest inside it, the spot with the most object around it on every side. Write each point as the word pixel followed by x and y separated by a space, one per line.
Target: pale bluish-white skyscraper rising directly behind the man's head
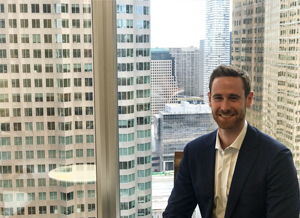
pixel 217 42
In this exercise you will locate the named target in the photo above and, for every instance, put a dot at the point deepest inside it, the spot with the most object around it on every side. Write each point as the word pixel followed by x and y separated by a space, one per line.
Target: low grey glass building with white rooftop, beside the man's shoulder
pixel 178 125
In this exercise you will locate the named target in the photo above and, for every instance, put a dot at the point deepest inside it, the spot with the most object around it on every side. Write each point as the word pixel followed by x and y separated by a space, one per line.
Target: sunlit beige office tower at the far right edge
pixel 281 74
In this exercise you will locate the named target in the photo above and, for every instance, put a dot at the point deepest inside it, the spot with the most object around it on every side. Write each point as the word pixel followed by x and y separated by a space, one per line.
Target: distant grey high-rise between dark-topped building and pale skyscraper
pixel 187 70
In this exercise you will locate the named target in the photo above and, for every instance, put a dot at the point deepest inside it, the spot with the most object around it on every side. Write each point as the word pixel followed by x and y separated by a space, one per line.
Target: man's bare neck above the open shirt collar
pixel 228 136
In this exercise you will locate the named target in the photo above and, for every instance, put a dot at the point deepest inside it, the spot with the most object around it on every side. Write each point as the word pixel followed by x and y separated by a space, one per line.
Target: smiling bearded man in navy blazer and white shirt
pixel 236 171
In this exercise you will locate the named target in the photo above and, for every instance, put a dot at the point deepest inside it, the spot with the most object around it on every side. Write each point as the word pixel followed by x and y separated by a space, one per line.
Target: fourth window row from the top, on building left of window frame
pixel 59 53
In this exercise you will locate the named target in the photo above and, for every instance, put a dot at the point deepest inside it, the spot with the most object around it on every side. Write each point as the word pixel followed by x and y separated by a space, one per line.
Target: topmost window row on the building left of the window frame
pixel 45 8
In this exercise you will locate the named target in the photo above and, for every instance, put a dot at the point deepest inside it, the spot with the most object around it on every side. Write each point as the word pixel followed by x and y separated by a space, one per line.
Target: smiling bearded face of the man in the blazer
pixel 228 103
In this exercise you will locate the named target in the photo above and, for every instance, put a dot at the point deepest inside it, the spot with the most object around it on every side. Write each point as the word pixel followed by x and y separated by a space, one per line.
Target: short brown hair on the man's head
pixel 227 70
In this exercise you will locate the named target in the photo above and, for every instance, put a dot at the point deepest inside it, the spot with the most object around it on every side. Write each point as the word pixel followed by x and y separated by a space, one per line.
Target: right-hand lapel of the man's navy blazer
pixel 246 158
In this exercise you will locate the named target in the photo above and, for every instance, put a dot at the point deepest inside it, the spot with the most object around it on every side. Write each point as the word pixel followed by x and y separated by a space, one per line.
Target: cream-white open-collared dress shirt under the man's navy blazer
pixel 224 168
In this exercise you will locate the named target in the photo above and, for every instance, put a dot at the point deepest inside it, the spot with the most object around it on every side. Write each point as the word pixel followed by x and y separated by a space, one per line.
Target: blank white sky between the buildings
pixel 177 23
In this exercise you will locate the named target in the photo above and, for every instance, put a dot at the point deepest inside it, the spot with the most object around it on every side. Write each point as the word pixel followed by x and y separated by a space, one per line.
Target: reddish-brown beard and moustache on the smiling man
pixel 233 121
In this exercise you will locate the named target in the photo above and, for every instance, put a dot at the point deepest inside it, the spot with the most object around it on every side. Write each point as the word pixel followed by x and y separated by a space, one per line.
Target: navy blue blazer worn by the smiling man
pixel 264 183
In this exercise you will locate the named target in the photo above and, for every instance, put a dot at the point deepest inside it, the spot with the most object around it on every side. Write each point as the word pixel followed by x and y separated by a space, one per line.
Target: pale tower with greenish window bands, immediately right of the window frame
pixel 133 36
